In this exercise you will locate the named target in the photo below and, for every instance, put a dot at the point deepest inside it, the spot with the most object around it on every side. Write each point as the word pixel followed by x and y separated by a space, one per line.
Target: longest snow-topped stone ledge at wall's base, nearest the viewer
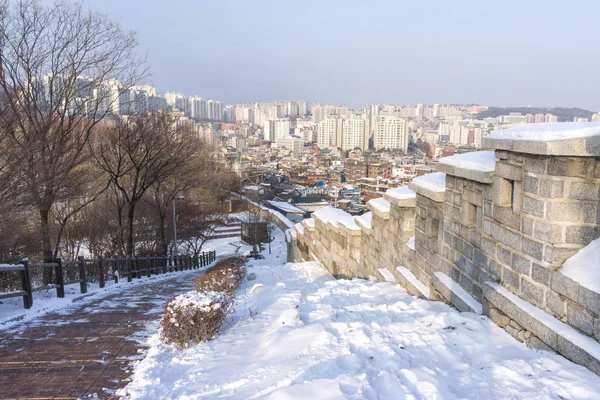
pixel 558 336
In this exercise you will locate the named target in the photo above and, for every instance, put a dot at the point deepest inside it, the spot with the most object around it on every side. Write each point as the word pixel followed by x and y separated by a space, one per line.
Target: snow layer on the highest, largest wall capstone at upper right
pixel 544 132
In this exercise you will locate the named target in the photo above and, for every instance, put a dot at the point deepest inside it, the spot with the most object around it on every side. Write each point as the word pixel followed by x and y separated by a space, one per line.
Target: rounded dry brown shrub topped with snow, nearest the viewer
pixel 194 317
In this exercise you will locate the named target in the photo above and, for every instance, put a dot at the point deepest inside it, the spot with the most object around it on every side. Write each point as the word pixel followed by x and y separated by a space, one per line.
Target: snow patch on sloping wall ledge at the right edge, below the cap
pixel 584 266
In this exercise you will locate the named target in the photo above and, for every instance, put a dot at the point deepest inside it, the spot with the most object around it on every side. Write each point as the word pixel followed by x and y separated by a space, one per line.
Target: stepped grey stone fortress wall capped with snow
pixel 490 233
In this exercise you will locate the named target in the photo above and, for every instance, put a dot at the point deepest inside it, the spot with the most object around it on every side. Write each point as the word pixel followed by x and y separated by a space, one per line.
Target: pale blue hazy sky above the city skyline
pixel 526 52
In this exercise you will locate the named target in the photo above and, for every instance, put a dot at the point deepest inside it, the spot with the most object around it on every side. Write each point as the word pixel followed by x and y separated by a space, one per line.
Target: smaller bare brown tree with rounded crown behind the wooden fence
pixel 136 154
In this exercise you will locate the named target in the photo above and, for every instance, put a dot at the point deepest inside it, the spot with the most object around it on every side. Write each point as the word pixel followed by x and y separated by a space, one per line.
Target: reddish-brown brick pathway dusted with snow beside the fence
pixel 87 350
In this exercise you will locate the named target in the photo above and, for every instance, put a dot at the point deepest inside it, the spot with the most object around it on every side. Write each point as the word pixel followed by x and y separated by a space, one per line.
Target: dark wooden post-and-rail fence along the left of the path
pixel 99 270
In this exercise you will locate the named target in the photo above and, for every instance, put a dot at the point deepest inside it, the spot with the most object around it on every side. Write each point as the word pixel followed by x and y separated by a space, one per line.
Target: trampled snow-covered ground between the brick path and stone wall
pixel 304 335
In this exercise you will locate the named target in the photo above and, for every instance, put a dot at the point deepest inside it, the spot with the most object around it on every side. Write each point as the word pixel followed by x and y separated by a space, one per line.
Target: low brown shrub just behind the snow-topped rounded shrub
pixel 225 276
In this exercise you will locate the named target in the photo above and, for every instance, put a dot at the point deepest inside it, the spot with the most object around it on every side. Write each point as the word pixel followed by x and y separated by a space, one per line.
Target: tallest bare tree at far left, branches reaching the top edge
pixel 61 67
